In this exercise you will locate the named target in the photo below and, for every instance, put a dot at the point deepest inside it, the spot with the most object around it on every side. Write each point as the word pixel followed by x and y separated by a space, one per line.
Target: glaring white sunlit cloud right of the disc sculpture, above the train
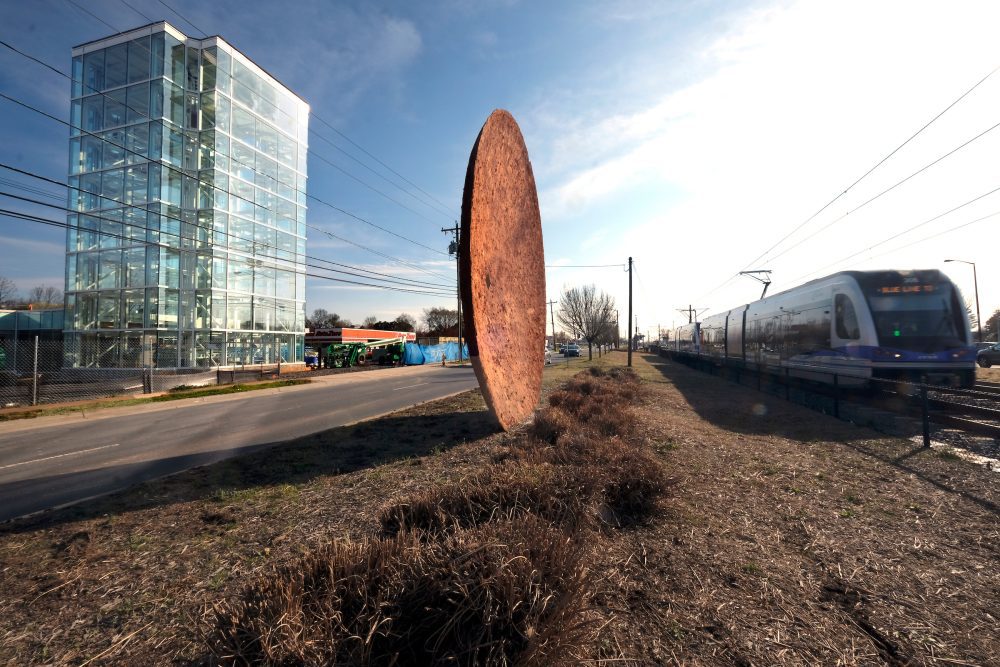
pixel 797 101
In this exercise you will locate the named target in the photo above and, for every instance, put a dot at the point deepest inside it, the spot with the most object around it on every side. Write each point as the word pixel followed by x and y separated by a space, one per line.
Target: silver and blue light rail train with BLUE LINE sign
pixel 854 325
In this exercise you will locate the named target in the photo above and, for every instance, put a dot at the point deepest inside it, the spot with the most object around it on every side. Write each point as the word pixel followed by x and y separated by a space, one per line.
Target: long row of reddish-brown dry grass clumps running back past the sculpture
pixel 486 570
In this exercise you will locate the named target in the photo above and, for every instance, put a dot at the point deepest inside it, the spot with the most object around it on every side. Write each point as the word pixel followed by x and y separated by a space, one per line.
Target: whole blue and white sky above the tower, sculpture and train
pixel 699 138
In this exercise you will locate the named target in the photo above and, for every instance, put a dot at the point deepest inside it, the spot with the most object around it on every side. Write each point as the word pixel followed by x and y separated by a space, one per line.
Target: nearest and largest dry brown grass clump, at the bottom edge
pixel 502 593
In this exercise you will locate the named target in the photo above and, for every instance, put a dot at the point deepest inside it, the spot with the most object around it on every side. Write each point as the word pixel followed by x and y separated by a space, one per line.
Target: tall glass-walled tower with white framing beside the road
pixel 187 175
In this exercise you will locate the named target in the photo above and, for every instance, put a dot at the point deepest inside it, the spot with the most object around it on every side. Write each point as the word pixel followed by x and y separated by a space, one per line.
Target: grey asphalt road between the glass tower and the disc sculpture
pixel 53 461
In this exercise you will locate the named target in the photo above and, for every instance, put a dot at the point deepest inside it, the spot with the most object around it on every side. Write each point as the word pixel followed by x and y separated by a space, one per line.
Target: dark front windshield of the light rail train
pixel 924 318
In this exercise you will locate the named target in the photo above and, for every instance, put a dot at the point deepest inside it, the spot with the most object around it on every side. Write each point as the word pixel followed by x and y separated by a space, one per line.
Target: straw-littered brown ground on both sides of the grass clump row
pixel 786 537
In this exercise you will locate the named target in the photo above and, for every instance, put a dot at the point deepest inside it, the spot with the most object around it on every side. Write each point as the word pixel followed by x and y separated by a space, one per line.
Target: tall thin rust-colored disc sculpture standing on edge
pixel 502 270
